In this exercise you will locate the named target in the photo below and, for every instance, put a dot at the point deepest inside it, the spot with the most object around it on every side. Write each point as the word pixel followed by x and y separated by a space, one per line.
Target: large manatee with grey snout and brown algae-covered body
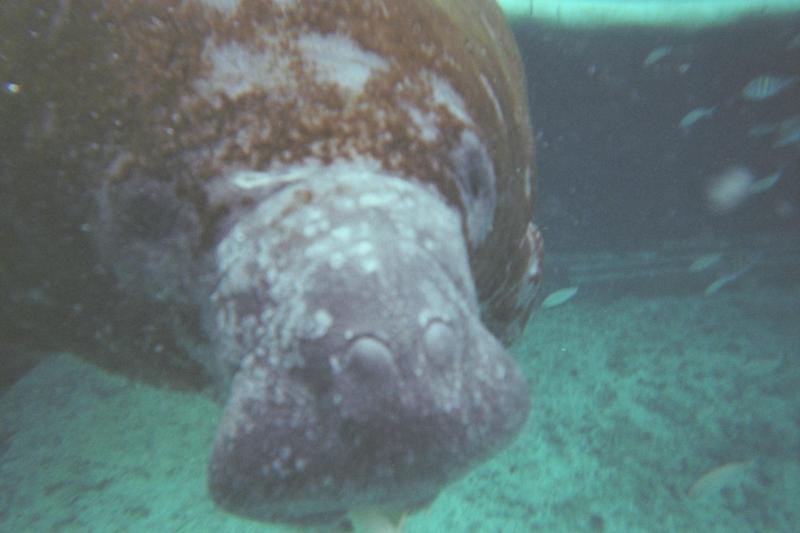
pixel 321 209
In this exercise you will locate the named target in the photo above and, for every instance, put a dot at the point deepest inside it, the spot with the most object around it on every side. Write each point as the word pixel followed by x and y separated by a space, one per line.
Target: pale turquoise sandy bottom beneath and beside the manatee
pixel 638 402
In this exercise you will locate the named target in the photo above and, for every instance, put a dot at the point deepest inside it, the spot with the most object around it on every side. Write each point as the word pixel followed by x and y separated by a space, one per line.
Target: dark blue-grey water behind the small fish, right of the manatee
pixel 615 169
